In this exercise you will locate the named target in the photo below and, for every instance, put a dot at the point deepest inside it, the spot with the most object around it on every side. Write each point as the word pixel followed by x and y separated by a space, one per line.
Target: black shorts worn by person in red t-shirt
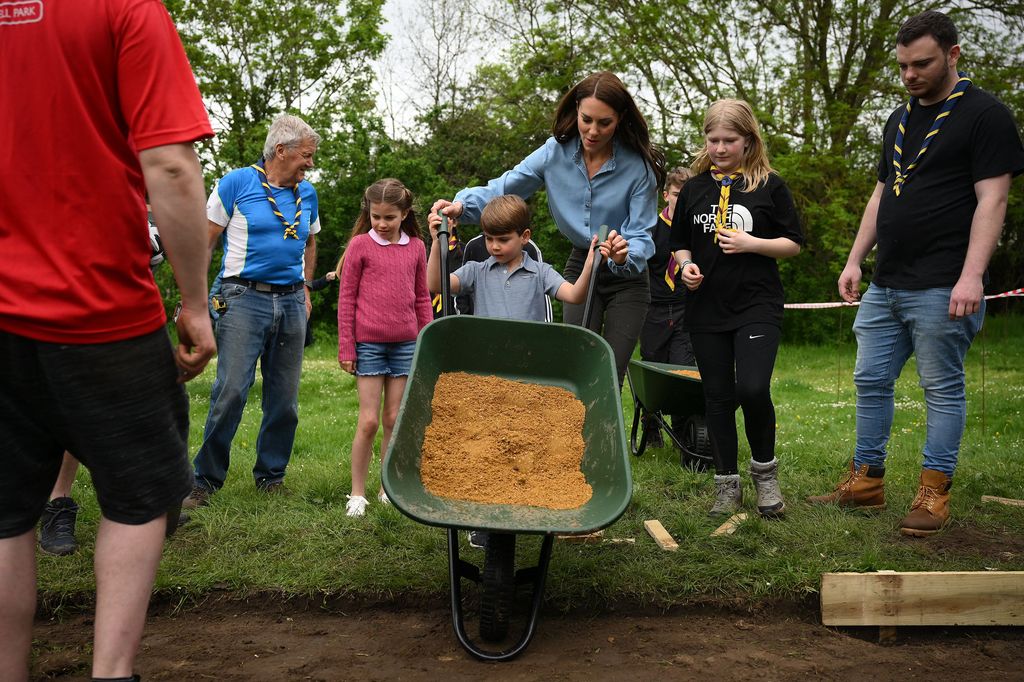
pixel 117 407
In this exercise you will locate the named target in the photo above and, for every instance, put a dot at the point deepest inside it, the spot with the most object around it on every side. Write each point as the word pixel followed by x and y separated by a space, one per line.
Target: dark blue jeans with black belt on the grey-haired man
pixel 272 329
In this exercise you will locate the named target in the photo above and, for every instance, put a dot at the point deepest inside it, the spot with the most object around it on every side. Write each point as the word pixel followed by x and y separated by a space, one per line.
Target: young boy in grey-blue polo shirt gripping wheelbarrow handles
pixel 510 284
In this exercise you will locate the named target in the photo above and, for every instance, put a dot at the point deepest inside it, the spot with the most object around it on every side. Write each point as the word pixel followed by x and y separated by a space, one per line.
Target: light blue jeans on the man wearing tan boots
pixel 891 325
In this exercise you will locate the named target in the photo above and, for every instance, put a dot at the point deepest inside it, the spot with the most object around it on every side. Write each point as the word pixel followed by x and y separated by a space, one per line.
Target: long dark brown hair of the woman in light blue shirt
pixel 632 129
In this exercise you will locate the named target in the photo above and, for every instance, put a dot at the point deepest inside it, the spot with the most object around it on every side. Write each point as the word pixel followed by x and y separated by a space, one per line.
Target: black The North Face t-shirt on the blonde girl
pixel 738 289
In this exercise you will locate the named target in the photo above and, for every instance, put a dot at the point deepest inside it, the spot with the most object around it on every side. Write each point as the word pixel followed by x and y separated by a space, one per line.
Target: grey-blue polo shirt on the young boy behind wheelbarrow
pixel 517 295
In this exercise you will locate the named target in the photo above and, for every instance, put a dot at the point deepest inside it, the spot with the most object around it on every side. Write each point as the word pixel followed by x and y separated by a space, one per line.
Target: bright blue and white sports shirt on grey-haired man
pixel 254 242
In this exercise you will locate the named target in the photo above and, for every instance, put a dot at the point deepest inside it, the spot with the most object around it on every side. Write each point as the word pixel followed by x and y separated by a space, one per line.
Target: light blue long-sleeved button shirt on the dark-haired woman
pixel 623 195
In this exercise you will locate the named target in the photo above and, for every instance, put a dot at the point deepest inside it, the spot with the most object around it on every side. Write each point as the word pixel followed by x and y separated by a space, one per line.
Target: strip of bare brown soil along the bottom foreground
pixel 276 640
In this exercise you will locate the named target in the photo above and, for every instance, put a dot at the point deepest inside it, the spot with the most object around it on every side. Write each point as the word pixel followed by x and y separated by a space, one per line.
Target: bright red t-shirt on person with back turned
pixel 84 87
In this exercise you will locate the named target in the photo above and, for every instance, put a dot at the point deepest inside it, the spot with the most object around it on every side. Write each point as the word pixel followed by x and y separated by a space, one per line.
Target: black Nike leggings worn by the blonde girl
pixel 736 370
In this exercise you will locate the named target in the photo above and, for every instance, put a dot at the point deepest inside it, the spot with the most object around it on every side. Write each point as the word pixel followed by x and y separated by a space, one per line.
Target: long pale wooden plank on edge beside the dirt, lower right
pixel 928 599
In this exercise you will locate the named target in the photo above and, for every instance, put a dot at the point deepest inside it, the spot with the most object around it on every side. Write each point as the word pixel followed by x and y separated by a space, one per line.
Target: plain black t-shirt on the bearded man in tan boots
pixel 923 235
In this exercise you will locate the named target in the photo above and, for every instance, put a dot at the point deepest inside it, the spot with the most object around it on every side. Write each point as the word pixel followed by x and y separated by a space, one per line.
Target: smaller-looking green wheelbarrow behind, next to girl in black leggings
pixel 659 391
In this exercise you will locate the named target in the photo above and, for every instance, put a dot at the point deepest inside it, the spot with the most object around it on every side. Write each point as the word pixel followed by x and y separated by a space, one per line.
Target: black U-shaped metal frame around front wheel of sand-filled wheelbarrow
pixel 459 570
